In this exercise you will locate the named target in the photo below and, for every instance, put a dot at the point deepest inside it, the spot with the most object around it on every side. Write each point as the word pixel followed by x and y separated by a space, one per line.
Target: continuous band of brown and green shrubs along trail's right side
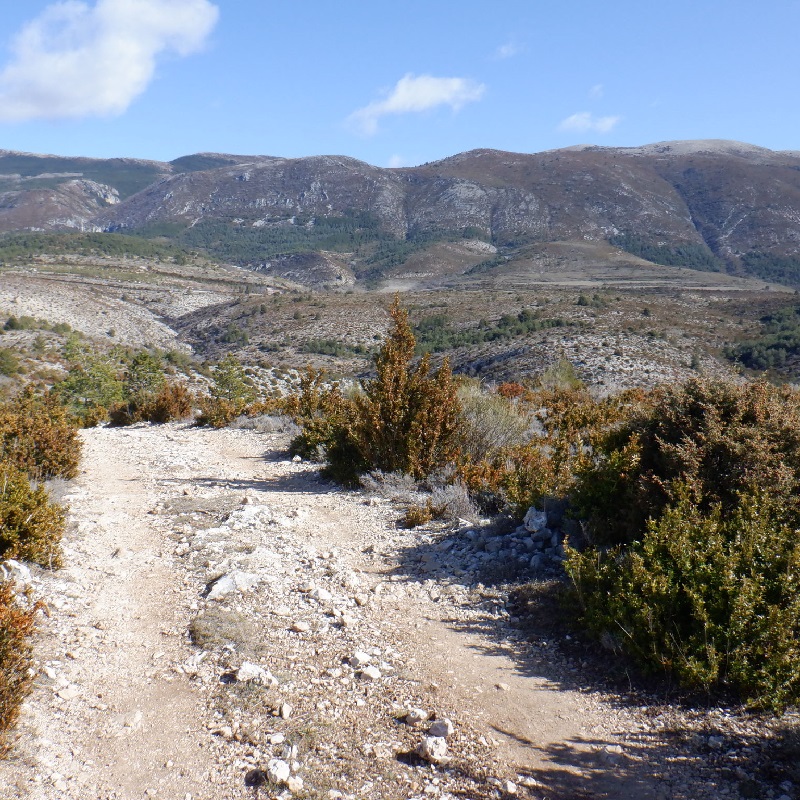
pixel 685 555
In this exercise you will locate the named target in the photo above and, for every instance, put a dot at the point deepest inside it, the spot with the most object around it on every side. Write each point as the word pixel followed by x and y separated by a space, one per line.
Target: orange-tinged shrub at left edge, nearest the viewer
pixel 16 674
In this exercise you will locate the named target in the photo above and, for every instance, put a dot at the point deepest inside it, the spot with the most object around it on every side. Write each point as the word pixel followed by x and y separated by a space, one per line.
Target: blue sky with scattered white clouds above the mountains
pixel 393 84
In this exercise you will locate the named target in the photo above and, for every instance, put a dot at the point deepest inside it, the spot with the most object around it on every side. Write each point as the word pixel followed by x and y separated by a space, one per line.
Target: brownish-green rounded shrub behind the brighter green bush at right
pixel 720 438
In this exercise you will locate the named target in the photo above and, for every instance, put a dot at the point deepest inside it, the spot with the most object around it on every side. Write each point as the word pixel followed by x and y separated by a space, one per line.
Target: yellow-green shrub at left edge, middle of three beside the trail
pixel 30 526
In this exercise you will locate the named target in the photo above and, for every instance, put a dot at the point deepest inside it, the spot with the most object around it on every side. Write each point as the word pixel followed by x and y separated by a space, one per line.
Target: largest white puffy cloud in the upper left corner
pixel 77 60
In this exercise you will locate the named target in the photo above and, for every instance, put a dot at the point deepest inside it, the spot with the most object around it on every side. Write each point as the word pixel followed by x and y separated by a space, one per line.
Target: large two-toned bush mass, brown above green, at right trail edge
pixel 692 511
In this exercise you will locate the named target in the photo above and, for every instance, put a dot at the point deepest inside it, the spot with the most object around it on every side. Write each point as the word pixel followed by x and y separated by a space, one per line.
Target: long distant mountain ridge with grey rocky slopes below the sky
pixel 709 205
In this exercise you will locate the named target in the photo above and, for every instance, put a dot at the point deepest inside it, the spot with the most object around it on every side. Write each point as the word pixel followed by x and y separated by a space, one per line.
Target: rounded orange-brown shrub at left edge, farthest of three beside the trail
pixel 36 436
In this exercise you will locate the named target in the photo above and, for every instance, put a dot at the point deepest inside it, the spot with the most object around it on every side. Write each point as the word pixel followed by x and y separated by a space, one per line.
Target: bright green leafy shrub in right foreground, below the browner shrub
pixel 712 597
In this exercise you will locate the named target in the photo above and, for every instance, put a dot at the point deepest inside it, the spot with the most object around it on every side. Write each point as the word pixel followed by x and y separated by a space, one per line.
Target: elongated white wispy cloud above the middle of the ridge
pixel 414 94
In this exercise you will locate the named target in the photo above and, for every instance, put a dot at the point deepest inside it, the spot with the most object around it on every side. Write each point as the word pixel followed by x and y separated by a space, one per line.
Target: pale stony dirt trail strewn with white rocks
pixel 125 707
